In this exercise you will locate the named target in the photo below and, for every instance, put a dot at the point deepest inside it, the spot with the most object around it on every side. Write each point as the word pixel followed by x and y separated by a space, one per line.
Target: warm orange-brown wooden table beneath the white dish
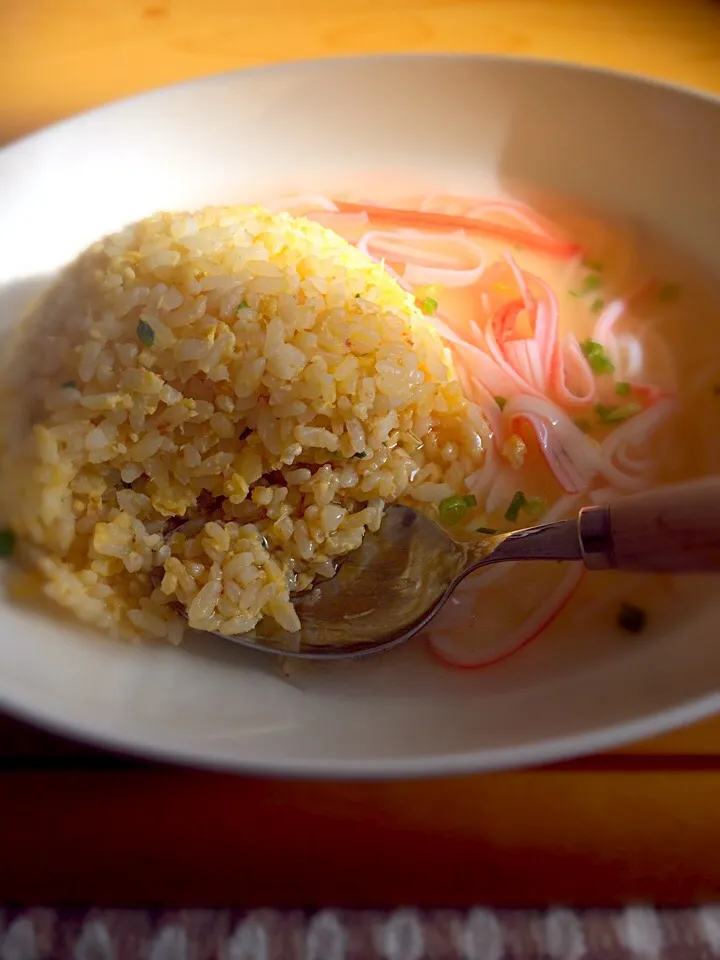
pixel 79 827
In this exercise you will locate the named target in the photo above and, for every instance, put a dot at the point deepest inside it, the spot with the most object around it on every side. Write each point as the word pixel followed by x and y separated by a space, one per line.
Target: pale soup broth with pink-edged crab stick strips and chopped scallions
pixel 589 347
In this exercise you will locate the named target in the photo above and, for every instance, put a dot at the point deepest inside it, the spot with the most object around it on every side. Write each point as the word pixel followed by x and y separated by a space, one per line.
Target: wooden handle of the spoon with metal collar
pixel 673 528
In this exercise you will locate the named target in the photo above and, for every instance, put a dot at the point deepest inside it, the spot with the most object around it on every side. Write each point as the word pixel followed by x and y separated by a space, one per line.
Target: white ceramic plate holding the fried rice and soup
pixel 462 123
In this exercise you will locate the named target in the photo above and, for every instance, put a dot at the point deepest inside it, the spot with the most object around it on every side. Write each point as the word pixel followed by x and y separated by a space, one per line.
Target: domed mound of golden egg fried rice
pixel 208 409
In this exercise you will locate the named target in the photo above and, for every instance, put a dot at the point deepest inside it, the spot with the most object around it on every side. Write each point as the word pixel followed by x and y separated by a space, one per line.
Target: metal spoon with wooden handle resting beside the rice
pixel 397 581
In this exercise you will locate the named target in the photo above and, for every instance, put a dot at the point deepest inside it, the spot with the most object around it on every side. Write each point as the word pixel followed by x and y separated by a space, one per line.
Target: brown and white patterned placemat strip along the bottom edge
pixel 404 934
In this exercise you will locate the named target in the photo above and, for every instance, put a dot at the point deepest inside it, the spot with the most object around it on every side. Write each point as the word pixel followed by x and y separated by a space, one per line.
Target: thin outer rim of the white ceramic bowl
pixel 481 760
